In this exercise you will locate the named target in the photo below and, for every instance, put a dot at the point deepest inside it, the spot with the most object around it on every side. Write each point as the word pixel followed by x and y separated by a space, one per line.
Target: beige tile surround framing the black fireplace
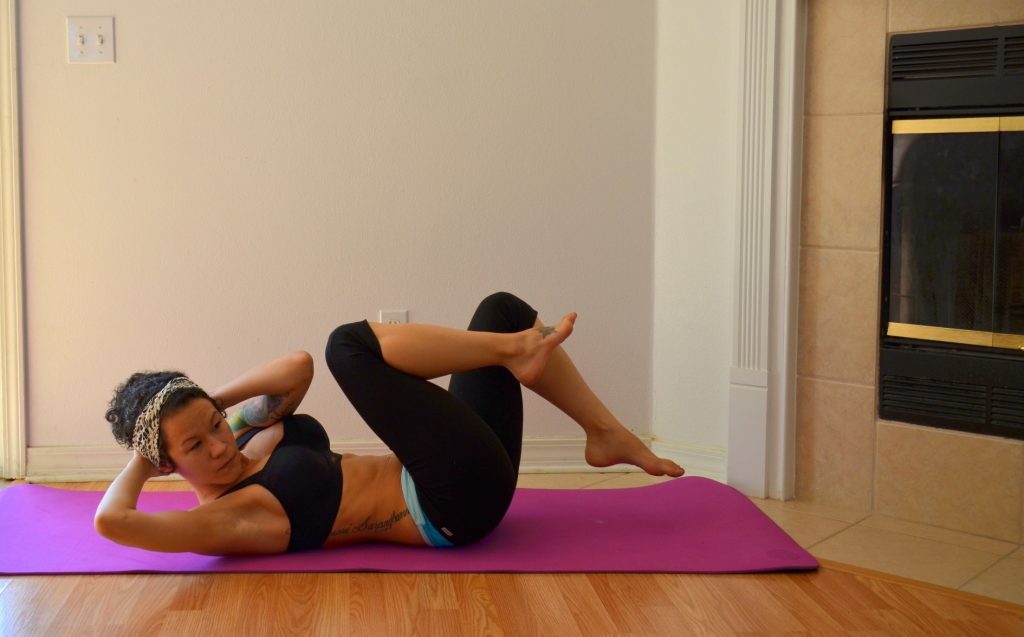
pixel 943 482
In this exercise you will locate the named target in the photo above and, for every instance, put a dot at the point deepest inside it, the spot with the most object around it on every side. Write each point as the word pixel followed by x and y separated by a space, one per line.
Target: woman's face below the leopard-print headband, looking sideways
pixel 201 445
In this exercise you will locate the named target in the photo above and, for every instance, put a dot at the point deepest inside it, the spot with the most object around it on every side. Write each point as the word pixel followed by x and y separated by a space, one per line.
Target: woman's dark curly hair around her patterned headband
pixel 132 397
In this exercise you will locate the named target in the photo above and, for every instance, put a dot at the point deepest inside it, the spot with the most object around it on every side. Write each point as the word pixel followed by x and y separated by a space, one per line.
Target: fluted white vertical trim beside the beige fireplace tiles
pixel 762 384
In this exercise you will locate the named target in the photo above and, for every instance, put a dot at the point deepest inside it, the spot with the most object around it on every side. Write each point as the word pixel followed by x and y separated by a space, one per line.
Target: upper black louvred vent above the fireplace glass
pixel 969 68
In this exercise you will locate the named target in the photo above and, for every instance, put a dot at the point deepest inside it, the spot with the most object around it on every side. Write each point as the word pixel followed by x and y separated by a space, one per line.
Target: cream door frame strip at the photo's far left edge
pixel 14 440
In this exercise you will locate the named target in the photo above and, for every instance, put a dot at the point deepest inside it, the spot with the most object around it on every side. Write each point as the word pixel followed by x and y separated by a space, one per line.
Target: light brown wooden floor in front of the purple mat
pixel 836 601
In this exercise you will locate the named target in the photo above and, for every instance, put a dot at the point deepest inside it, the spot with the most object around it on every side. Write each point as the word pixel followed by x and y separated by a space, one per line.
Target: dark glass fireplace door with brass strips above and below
pixel 957 241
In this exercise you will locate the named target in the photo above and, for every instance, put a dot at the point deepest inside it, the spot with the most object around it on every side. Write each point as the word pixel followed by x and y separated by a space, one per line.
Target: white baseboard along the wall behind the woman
pixel 90 463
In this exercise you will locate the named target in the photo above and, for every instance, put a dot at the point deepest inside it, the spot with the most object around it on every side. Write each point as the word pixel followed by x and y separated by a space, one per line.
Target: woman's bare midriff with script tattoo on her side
pixel 373 507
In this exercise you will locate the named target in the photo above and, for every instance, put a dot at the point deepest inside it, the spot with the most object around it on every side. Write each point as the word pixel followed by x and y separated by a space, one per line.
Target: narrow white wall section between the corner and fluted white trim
pixel 698 82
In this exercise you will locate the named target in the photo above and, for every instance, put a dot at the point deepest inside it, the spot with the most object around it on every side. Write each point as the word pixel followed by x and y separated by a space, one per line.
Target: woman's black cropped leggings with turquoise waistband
pixel 461 447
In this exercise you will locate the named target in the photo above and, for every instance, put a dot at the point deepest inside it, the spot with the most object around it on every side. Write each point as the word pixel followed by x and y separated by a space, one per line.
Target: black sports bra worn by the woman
pixel 305 476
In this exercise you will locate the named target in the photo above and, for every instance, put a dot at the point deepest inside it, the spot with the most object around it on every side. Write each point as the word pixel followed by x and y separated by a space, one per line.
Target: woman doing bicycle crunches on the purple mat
pixel 268 482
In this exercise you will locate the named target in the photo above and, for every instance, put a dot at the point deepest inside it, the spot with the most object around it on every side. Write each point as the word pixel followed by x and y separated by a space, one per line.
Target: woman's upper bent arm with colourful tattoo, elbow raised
pixel 277 389
